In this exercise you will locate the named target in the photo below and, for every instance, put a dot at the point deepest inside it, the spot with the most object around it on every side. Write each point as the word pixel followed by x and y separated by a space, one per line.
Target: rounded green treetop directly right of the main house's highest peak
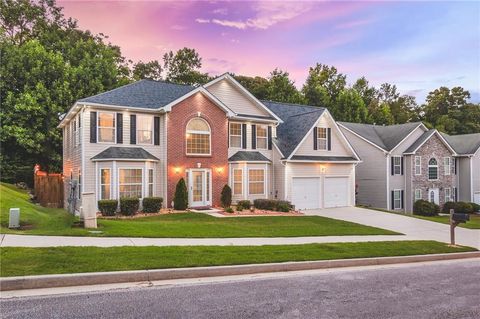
pixel 281 89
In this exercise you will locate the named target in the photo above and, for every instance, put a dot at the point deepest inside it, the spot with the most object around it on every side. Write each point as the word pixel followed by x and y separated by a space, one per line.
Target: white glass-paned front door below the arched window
pixel 199 190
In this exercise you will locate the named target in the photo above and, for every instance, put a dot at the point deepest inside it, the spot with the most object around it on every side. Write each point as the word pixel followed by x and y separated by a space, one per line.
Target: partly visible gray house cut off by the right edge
pixel 467 147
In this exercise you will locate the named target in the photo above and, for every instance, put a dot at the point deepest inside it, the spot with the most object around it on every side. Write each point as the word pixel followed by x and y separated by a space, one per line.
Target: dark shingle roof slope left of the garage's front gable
pixel 298 120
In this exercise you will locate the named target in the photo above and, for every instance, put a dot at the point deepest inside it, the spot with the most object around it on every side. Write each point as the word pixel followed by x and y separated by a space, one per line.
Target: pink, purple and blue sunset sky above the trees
pixel 418 46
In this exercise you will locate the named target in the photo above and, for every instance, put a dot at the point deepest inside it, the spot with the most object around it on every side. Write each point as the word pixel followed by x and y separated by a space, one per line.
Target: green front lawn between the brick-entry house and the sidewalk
pixel 47 221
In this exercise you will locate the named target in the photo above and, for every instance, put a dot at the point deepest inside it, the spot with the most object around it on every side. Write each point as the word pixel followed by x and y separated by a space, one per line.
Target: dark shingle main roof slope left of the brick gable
pixel 147 94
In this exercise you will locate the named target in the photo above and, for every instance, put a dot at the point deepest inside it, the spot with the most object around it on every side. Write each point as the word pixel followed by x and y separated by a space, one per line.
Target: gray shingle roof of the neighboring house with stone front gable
pixel 385 137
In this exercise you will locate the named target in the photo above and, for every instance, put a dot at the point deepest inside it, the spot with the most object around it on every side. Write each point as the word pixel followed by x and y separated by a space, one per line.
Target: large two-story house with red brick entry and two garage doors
pixel 140 139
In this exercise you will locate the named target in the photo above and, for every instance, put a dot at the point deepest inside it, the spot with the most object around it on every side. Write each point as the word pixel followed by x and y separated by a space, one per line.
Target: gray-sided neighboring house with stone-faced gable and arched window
pixel 401 164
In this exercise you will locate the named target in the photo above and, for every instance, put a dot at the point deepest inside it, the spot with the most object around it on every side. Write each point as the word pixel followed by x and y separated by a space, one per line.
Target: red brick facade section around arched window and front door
pixel 177 160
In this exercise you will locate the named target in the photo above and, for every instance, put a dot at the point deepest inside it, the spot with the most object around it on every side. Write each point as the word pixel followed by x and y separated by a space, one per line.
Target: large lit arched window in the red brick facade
pixel 198 137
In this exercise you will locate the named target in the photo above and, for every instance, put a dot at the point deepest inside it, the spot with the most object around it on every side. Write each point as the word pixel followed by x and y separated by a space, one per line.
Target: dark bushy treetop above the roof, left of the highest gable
pixel 183 67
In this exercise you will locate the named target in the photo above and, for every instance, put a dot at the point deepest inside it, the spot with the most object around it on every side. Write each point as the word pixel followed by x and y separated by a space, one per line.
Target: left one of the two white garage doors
pixel 306 192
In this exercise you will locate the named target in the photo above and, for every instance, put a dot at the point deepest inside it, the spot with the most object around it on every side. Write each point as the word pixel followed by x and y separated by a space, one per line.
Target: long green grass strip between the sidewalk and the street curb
pixel 59 260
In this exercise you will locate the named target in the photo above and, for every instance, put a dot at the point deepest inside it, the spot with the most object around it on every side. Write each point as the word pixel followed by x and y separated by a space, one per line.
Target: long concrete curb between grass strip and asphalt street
pixel 81 279
